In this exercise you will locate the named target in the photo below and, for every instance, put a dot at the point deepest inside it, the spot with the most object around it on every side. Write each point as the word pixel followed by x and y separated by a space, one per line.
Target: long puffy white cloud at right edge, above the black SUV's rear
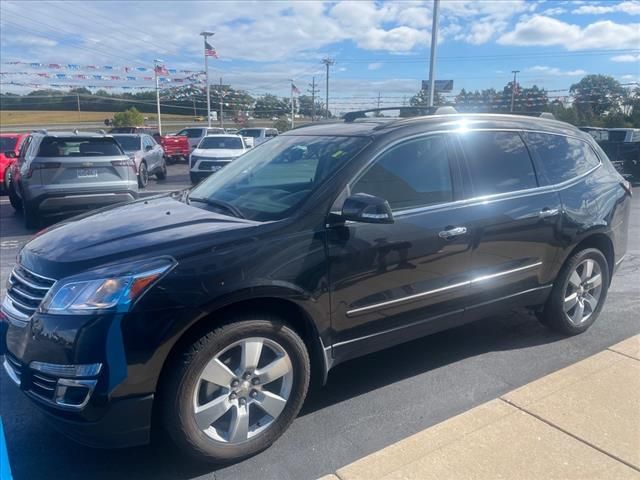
pixel 546 32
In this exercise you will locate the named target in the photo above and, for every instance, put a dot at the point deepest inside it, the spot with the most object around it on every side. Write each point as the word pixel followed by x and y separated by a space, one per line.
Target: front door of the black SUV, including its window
pixel 393 282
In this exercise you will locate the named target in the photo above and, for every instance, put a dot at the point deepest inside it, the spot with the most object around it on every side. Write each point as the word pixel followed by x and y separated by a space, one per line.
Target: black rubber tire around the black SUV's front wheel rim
pixel 178 389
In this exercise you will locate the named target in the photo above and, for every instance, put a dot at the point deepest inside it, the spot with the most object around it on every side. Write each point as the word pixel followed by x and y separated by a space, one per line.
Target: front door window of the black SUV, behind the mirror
pixel 413 174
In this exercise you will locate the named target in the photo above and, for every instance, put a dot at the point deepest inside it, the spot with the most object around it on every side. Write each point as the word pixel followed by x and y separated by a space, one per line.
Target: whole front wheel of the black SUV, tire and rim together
pixel 235 390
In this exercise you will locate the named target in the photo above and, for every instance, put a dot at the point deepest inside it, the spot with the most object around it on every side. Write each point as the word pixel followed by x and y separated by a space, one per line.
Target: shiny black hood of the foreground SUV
pixel 141 229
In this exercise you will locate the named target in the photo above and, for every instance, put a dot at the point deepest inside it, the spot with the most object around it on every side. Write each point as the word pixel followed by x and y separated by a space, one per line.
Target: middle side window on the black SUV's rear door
pixel 498 162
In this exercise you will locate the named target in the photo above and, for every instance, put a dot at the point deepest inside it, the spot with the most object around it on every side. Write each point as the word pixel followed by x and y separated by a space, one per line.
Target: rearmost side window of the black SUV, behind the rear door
pixel 561 158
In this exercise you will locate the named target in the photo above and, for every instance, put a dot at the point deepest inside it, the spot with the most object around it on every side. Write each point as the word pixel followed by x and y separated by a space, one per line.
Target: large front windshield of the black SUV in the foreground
pixel 268 182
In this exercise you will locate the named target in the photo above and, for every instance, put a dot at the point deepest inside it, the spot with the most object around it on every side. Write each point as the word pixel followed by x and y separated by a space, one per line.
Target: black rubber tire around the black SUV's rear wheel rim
pixel 553 315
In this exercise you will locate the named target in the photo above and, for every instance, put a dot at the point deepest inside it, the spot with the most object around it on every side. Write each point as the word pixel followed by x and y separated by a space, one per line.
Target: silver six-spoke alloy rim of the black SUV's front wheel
pixel 243 390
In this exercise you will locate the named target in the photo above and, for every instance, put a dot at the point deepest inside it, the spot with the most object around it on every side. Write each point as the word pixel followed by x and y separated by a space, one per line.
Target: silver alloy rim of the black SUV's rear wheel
pixel 583 291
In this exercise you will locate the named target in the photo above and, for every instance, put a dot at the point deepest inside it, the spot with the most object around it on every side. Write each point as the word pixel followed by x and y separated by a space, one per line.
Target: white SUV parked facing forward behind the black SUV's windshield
pixel 213 153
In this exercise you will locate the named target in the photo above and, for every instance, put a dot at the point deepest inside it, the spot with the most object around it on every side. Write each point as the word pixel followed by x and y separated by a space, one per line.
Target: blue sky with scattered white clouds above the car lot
pixel 378 47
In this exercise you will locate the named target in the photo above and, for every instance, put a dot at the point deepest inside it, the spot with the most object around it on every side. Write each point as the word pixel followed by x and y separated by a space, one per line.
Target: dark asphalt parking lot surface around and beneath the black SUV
pixel 368 403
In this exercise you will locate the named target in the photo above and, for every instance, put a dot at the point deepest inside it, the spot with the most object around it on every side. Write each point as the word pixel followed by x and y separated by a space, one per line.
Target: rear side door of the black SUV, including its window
pixel 514 219
